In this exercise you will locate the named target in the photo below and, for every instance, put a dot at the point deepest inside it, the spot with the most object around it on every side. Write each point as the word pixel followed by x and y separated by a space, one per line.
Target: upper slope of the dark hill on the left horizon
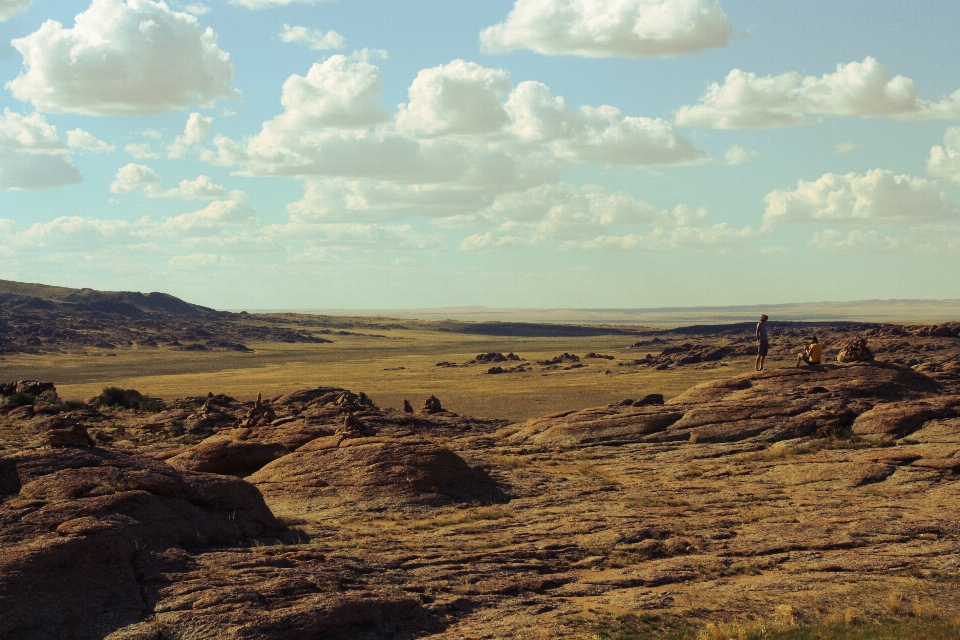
pixel 128 303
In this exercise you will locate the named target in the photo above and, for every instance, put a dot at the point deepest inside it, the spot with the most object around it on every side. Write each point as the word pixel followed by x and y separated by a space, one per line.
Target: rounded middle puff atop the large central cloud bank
pixel 457 98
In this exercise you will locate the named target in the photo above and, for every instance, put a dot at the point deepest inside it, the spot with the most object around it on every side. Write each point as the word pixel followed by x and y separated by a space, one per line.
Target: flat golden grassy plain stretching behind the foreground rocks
pixel 399 365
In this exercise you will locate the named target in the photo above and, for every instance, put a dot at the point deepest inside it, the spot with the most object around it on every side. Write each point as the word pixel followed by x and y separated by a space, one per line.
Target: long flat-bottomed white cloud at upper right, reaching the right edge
pixel 861 89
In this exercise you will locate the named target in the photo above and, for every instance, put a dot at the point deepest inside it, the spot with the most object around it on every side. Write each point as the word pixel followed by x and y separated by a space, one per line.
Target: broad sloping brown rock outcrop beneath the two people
pixel 766 407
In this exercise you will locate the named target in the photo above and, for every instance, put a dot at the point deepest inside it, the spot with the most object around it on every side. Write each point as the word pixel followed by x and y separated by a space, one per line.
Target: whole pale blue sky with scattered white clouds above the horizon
pixel 505 153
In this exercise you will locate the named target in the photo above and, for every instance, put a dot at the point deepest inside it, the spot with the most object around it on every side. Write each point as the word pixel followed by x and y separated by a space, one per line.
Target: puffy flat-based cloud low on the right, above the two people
pixel 878 197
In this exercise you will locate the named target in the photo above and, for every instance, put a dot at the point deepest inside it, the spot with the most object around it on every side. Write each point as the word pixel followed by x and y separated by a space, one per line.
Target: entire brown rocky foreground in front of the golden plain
pixel 320 515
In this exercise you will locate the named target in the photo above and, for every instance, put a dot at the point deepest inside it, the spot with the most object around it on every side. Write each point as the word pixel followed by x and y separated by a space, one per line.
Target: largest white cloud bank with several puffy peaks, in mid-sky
pixel 461 126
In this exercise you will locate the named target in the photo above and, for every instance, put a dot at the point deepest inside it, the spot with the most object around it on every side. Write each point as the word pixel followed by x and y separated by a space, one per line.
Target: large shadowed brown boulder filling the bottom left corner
pixel 75 523
